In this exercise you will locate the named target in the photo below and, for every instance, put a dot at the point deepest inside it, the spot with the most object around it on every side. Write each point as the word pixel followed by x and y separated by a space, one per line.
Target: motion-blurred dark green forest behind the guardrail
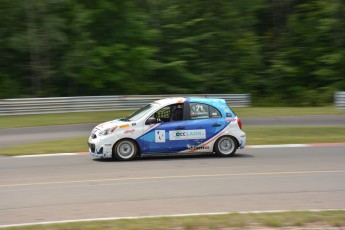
pixel 286 52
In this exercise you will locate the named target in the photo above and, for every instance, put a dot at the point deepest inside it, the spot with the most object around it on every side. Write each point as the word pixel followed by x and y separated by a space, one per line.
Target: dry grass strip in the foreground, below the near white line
pixel 293 219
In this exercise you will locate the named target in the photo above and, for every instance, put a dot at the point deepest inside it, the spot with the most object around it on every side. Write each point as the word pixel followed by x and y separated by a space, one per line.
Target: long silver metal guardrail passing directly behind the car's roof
pixel 99 103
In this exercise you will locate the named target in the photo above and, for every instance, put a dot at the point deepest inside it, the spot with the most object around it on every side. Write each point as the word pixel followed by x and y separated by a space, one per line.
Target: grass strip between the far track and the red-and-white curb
pixel 256 135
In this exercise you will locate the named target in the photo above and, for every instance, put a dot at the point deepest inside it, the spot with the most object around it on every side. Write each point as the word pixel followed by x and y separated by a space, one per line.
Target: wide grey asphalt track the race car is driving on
pixel 38 189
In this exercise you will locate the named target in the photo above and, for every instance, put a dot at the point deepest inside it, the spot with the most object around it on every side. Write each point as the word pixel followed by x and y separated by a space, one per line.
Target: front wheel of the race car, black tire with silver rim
pixel 125 150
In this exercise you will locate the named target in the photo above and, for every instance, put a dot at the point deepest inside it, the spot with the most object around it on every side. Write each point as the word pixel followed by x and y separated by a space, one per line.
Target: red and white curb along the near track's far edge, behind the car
pixel 247 147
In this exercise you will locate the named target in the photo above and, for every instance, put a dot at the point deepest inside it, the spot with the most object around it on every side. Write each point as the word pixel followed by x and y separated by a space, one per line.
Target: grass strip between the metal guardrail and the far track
pixel 99 117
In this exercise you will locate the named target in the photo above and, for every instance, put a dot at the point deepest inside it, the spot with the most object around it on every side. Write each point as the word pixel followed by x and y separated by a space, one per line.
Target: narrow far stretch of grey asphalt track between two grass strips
pixel 10 137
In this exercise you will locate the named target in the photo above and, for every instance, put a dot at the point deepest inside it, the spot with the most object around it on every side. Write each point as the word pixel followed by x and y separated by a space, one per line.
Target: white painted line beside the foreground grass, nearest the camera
pixel 160 216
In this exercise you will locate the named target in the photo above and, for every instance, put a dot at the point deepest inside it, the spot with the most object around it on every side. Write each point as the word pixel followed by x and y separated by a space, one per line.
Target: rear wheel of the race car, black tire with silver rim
pixel 226 146
